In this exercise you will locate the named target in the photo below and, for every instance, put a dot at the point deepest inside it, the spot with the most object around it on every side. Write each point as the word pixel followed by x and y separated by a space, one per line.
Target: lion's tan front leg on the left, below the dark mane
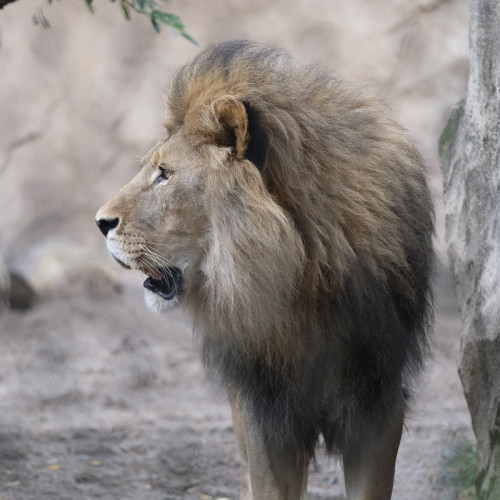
pixel 267 474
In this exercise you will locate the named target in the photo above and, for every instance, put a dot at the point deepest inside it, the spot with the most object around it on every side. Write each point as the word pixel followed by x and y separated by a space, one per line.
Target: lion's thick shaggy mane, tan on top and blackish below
pixel 315 296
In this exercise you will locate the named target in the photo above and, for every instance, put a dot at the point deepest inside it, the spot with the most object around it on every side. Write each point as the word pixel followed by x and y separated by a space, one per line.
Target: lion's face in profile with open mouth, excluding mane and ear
pixel 157 222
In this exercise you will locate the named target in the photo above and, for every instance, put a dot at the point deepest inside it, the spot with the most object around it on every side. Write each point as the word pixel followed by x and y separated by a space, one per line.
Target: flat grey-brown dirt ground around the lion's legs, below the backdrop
pixel 100 399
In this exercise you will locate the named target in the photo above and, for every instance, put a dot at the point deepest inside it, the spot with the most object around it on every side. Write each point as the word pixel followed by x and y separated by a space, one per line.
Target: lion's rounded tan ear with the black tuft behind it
pixel 242 130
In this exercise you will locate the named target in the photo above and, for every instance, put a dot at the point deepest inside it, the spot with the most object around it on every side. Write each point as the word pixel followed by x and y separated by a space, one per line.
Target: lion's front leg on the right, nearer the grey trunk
pixel 370 462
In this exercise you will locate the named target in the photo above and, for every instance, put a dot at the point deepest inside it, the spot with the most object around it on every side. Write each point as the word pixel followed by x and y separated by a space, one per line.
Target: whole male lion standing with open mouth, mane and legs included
pixel 290 216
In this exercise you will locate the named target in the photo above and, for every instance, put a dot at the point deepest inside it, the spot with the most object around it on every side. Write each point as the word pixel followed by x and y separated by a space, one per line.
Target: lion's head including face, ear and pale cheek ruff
pixel 199 222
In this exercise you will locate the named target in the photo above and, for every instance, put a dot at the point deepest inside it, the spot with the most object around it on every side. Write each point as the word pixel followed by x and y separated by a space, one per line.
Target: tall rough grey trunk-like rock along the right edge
pixel 470 152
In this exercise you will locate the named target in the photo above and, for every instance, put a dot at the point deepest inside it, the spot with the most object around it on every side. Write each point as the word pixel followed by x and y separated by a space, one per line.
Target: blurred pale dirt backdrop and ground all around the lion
pixel 100 399
